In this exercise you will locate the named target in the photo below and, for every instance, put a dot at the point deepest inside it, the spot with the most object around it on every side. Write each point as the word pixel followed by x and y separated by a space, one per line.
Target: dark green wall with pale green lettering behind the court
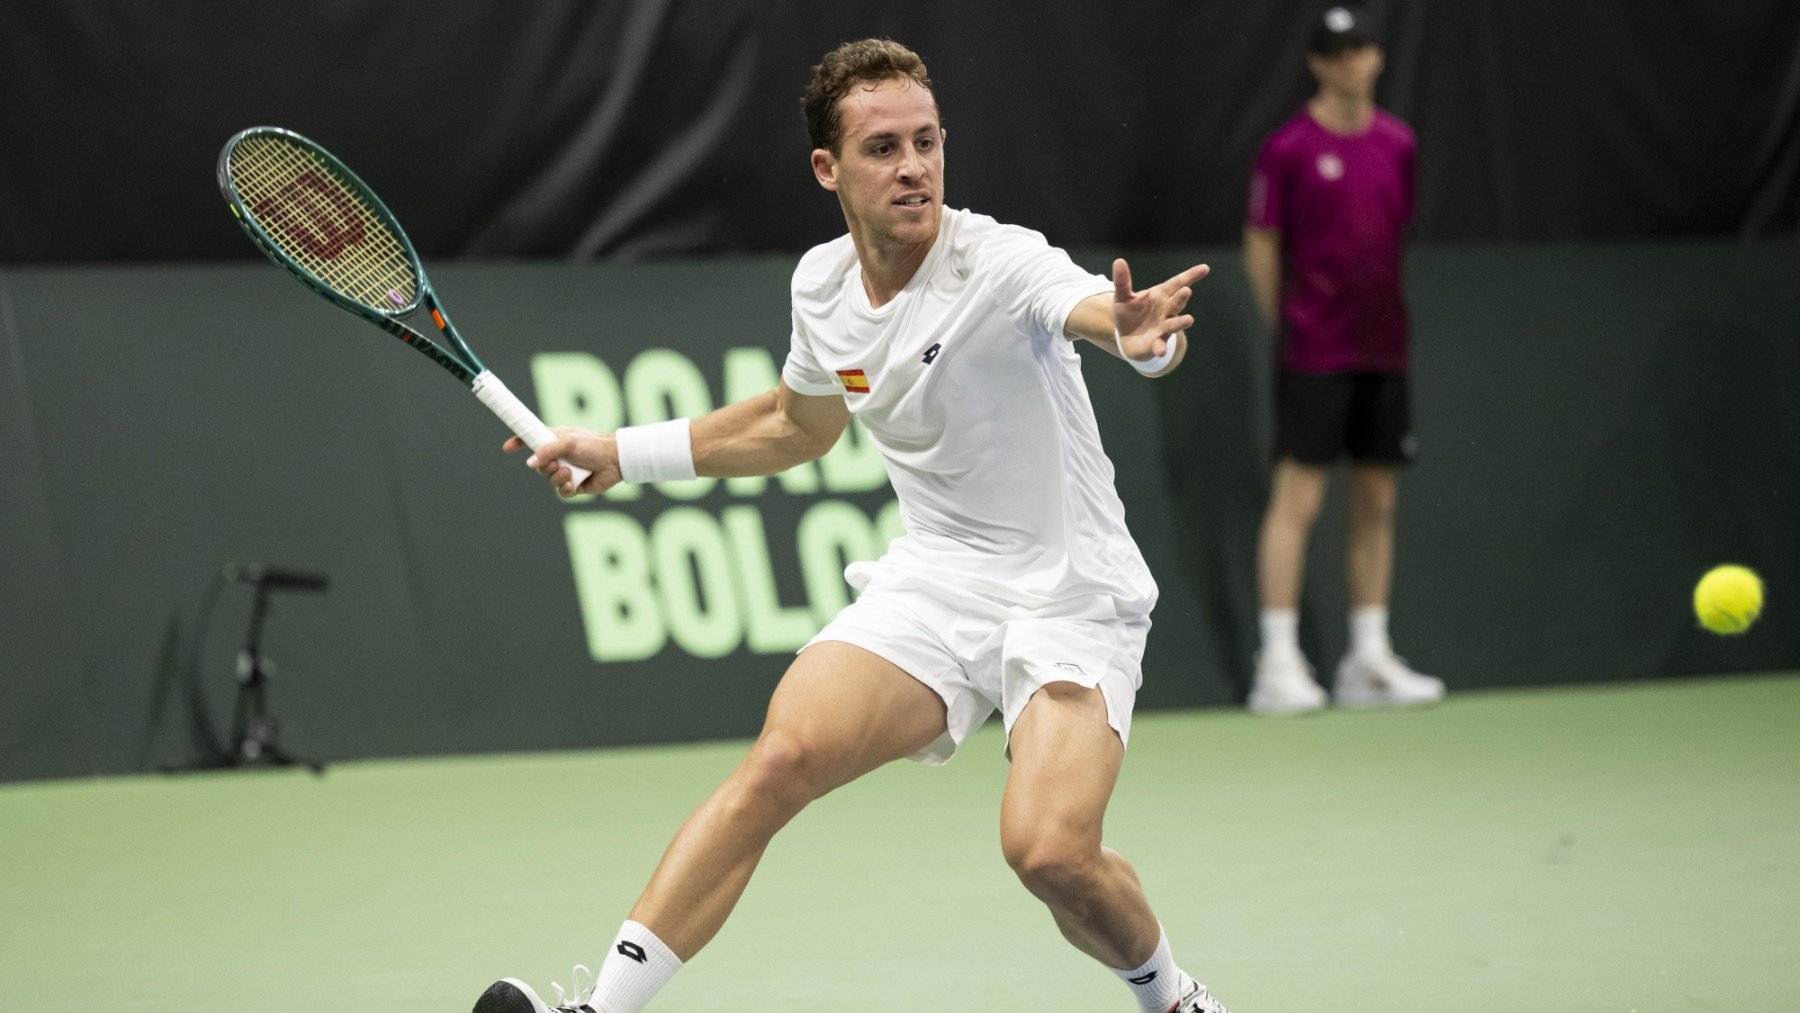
pixel 1599 426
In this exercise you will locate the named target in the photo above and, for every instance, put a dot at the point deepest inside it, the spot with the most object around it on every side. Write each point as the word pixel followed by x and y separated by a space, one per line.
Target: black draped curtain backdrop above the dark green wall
pixel 579 129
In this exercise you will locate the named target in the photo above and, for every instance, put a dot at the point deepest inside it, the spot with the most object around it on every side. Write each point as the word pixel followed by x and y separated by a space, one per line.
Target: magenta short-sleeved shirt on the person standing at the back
pixel 1342 204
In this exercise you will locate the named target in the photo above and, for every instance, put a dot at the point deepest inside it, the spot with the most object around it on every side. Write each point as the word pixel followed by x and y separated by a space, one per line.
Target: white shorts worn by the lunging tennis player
pixel 982 656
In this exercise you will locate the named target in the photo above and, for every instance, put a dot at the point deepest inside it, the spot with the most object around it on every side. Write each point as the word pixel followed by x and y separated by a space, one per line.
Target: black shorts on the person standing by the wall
pixel 1326 417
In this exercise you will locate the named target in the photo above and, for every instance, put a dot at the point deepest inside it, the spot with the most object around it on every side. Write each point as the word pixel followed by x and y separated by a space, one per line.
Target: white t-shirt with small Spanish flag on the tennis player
pixel 976 402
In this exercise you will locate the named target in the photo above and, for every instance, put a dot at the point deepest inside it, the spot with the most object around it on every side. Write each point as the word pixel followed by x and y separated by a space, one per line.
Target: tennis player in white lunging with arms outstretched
pixel 1016 586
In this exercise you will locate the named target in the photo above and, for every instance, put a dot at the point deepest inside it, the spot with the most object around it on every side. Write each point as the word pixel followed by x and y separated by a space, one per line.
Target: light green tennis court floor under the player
pixel 1587 850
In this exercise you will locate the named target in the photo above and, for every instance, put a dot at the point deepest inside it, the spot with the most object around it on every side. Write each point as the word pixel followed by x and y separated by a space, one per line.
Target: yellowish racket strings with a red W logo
pixel 323 224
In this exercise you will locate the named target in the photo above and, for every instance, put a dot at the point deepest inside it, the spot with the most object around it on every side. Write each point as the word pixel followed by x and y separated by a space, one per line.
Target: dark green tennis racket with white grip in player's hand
pixel 327 228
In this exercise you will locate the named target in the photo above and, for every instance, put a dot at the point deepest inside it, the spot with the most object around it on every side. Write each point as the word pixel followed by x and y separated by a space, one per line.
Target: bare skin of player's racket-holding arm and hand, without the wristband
pixel 757 436
